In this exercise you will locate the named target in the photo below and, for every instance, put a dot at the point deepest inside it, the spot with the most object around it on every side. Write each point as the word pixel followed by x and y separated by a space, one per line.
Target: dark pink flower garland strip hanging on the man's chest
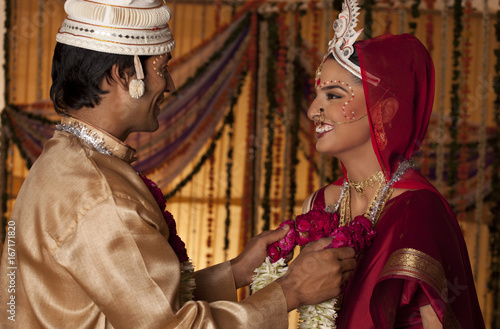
pixel 173 239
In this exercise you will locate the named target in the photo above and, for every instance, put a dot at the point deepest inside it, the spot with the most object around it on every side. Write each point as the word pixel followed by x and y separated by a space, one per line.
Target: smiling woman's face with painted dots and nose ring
pixel 345 125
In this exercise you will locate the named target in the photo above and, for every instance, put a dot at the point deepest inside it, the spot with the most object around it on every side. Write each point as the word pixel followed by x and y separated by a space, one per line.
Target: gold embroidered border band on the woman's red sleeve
pixel 416 264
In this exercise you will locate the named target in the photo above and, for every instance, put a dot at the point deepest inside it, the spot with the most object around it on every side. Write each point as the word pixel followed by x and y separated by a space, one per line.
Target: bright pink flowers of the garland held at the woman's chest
pixel 317 224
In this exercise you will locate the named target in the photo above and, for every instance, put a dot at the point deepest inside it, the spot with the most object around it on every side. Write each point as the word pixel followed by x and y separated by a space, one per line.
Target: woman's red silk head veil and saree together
pixel 406 73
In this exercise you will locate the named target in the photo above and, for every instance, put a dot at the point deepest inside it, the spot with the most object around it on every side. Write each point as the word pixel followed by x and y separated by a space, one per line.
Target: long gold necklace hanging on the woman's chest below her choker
pixel 345 206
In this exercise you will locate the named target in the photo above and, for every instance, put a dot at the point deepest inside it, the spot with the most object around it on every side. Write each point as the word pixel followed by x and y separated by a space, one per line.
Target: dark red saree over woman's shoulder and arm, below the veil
pixel 414 260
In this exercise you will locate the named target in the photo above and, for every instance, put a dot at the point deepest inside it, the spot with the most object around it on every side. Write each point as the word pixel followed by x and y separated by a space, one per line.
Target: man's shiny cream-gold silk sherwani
pixel 92 252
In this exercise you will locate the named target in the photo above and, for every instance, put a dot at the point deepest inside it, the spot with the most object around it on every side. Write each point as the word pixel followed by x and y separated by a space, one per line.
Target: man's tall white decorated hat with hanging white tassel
pixel 125 27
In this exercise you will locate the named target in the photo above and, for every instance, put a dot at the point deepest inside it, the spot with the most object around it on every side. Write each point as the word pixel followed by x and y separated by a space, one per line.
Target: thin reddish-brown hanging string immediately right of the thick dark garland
pixel 463 167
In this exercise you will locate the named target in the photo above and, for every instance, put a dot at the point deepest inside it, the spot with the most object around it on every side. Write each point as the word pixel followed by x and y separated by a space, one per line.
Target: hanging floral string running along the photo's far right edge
pixel 494 225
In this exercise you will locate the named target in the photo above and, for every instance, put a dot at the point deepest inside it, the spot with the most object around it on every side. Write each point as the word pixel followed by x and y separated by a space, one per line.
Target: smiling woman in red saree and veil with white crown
pixel 373 103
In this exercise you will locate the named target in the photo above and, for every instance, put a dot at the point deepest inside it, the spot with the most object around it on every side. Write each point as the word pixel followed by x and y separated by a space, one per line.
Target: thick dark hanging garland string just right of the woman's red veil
pixel 455 98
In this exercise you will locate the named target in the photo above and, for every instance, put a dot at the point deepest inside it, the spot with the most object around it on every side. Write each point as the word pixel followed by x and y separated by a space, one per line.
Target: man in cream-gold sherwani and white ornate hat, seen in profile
pixel 91 246
